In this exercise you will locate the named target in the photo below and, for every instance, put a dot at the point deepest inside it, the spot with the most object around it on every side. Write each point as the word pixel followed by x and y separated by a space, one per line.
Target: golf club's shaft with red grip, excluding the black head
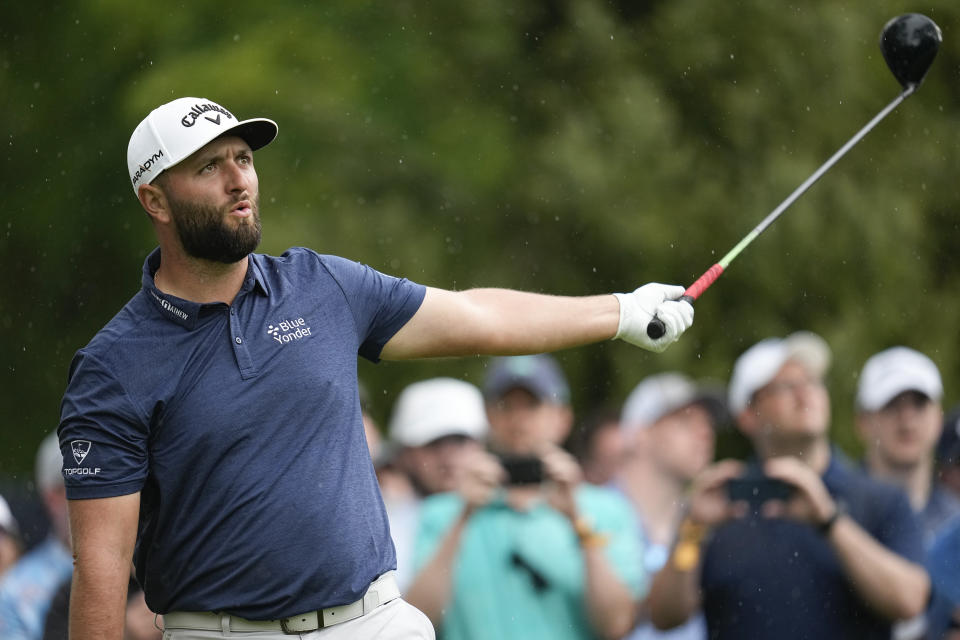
pixel 655 328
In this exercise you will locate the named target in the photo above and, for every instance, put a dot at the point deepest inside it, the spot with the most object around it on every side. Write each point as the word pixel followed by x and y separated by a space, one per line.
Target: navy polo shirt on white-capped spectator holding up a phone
pixel 778 578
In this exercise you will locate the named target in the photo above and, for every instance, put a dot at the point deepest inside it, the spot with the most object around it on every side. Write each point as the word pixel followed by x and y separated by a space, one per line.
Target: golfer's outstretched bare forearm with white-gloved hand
pixel 507 322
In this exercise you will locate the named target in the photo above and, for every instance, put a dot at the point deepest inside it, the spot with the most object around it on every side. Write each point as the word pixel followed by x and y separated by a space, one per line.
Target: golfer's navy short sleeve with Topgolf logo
pixel 103 438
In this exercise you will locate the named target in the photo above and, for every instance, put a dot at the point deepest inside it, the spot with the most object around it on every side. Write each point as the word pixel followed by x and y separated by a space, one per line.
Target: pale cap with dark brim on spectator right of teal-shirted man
pixel 661 395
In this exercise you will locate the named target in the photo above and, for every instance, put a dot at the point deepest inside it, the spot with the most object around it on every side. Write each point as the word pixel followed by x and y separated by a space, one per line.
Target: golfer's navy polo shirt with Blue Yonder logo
pixel 240 427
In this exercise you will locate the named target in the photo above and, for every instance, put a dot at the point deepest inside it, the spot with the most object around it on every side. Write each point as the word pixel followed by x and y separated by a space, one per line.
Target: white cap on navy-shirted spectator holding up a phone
pixel 758 365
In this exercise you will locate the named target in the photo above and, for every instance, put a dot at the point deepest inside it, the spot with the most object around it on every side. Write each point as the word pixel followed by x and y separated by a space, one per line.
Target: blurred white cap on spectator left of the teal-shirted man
pixel 432 409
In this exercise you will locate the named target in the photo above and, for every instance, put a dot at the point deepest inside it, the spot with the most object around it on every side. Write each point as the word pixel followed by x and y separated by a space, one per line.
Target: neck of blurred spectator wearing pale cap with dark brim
pixel 656 497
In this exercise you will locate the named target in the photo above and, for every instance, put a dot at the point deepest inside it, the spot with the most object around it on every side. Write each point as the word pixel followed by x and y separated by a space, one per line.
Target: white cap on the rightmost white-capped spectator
pixel 889 373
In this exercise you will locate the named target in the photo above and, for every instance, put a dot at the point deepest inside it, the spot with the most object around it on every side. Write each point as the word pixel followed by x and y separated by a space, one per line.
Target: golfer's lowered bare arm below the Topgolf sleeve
pixel 103 533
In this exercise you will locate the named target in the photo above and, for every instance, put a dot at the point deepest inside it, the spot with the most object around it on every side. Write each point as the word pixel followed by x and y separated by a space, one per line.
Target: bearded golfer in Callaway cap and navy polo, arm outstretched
pixel 211 431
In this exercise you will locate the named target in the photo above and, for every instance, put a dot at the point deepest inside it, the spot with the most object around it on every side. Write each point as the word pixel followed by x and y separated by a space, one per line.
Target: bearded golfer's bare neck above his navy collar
pixel 201 281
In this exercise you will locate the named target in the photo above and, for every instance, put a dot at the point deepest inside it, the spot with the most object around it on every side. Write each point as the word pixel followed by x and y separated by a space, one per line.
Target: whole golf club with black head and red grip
pixel 909 44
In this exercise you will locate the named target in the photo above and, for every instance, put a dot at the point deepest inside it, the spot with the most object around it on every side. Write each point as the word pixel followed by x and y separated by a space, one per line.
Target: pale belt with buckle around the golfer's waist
pixel 381 591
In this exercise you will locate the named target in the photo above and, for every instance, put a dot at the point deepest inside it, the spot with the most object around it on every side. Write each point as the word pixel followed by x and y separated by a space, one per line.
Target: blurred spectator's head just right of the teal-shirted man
pixel 598 445
